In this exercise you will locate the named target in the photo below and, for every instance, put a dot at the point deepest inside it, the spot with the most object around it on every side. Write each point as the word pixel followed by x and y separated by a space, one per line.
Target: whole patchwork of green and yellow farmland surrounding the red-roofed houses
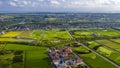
pixel 27 49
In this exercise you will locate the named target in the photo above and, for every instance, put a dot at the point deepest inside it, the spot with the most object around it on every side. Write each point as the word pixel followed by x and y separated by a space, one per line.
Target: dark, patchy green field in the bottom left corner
pixel 7 59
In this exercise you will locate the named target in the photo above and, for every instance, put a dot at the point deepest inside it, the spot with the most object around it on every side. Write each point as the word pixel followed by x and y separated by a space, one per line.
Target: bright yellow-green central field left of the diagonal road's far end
pixel 56 35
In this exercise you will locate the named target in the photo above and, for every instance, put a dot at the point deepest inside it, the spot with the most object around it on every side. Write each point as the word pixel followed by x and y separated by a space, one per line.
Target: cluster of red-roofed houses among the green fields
pixel 65 58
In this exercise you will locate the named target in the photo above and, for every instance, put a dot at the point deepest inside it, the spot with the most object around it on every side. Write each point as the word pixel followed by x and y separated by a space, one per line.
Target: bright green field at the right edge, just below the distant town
pixel 106 32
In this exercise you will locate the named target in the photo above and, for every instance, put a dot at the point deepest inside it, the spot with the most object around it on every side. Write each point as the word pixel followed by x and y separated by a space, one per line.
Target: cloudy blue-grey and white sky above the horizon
pixel 92 6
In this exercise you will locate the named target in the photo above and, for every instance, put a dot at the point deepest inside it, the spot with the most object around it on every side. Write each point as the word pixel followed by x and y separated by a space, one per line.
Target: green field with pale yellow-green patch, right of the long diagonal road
pixel 111 54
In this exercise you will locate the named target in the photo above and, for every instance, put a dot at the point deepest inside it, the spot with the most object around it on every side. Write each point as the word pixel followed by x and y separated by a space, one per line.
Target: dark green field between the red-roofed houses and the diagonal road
pixel 92 59
